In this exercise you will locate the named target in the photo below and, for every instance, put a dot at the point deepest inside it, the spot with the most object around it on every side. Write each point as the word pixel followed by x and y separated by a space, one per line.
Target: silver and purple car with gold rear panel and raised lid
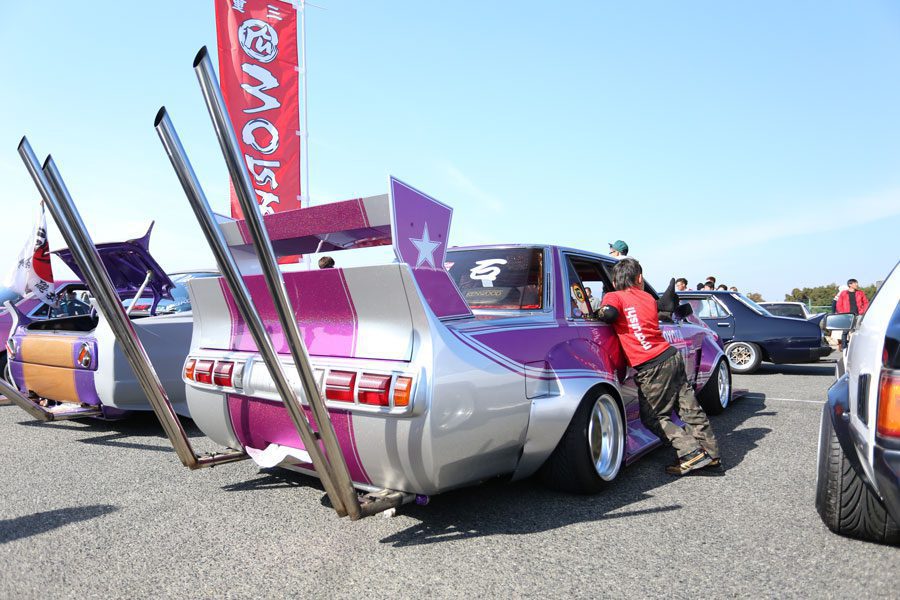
pixel 66 358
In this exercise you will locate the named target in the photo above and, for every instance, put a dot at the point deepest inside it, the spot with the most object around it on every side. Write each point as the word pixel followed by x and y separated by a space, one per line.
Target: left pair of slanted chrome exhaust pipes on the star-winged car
pixel 54 192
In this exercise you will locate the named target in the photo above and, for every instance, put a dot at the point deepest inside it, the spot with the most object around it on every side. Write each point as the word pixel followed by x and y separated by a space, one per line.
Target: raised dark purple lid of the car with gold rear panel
pixel 127 263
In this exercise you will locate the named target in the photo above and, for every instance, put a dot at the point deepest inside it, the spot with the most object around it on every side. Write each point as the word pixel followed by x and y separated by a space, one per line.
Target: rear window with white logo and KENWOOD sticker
pixel 505 278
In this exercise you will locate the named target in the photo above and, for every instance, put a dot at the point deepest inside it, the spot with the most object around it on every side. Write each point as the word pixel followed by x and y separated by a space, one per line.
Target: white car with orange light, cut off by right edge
pixel 858 476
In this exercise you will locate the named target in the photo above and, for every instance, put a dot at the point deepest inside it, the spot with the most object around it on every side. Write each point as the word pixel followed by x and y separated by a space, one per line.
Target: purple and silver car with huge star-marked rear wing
pixel 436 379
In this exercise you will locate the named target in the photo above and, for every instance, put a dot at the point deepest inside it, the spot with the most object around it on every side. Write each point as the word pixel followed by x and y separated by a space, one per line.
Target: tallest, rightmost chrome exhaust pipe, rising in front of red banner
pixel 215 104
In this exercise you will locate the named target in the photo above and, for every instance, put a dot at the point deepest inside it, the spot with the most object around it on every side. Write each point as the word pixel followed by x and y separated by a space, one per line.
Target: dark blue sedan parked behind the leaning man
pixel 751 334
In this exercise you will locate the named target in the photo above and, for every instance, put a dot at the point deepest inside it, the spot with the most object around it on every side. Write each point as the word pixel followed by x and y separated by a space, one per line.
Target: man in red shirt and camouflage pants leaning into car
pixel 660 375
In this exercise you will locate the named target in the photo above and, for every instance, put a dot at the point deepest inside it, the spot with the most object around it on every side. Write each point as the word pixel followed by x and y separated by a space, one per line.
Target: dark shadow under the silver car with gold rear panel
pixel 124 433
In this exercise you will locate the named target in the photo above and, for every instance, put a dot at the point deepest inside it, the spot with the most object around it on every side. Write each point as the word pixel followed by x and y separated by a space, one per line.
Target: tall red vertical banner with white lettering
pixel 258 72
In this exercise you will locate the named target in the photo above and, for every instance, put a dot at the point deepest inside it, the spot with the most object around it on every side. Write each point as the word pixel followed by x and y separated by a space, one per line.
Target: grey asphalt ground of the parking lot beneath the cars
pixel 95 509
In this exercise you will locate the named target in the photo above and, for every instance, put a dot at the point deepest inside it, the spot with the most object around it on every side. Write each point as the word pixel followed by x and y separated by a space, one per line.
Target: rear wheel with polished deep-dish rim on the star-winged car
pixel 592 450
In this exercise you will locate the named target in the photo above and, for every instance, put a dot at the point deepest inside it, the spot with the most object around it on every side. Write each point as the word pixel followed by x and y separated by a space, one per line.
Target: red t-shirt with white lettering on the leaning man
pixel 637 325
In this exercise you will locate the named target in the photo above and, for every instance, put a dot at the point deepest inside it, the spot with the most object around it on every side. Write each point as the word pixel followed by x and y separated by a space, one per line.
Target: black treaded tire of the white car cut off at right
pixel 845 502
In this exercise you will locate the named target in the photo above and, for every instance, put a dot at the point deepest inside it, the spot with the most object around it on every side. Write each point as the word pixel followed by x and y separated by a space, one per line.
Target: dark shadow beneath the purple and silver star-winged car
pixel 500 507
